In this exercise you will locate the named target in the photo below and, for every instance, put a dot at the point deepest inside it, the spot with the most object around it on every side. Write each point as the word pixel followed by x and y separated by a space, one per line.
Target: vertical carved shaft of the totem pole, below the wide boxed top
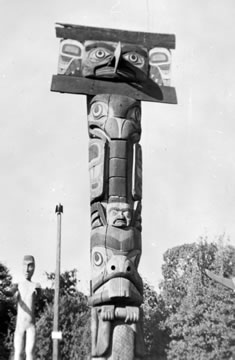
pixel 116 286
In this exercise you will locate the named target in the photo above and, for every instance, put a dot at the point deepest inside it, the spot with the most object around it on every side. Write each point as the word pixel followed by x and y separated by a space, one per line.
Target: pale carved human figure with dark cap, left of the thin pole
pixel 25 293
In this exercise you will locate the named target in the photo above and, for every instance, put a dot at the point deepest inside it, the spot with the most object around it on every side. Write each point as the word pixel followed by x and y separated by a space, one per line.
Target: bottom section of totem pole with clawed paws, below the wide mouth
pixel 116 333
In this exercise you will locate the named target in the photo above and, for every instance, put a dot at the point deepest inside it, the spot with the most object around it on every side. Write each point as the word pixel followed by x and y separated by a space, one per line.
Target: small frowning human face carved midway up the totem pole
pixel 119 214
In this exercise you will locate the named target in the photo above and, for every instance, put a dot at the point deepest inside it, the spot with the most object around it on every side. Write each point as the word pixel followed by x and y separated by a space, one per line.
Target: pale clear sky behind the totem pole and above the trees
pixel 188 148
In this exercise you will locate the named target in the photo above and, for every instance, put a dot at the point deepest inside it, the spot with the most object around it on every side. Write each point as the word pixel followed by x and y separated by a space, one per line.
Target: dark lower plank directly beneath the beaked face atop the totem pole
pixel 85 86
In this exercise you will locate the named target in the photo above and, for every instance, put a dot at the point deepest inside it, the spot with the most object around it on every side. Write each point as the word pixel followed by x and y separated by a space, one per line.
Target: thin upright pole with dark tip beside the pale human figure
pixel 55 336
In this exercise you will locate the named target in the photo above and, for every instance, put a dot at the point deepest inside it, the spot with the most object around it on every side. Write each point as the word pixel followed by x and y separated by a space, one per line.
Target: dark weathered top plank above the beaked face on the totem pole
pixel 82 33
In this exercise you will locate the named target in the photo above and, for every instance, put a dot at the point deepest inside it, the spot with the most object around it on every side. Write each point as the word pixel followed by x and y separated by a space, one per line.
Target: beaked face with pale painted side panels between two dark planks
pixel 115 61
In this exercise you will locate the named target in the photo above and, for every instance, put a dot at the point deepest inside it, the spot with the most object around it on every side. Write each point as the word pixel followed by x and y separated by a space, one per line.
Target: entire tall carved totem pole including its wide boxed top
pixel 117 70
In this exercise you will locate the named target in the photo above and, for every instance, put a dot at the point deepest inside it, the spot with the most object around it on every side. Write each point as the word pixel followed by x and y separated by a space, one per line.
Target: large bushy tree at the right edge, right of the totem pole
pixel 201 313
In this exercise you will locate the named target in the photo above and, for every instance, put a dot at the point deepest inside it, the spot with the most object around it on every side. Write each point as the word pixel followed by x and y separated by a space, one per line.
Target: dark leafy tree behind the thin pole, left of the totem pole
pixel 74 315
